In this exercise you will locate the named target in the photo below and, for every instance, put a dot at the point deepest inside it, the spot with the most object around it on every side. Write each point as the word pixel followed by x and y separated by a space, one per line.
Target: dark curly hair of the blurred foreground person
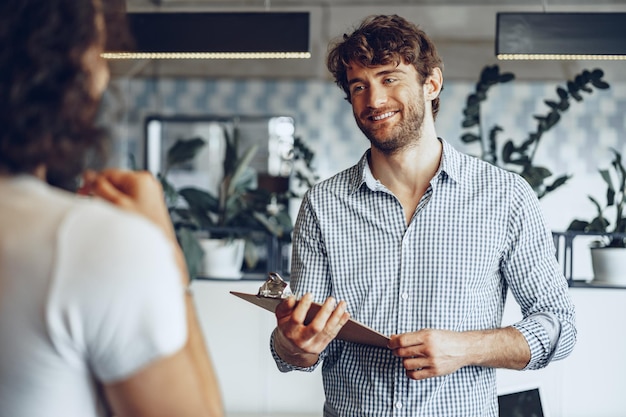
pixel 47 114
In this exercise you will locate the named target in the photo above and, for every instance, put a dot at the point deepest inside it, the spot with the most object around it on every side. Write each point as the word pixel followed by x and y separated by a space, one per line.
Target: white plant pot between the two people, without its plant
pixel 223 258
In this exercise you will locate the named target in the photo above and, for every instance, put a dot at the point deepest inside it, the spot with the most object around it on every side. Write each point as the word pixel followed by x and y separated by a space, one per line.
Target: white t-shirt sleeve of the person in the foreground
pixel 120 293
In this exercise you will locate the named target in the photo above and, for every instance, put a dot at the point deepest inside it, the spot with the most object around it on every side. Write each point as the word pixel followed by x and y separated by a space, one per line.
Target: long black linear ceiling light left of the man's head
pixel 255 35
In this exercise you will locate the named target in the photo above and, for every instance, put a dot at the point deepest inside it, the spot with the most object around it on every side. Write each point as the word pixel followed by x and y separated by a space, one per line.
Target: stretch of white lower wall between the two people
pixel 237 335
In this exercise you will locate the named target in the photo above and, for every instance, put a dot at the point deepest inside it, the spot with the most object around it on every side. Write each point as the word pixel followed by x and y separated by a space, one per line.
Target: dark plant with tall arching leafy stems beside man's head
pixel 519 158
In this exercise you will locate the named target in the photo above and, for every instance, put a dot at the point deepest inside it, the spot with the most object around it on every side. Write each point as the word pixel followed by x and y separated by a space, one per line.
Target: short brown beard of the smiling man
pixel 405 133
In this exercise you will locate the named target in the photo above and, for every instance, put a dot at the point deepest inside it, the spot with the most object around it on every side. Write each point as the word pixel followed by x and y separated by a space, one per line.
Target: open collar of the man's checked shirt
pixel 448 166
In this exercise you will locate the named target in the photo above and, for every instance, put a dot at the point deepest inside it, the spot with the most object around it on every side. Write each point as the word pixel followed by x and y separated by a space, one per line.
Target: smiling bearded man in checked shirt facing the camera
pixel 420 242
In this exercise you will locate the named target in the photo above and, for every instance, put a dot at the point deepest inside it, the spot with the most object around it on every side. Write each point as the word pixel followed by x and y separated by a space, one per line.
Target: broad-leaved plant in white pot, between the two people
pixel 207 222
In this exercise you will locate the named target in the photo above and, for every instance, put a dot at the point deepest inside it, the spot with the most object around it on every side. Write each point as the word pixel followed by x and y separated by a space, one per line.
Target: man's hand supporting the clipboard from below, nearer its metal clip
pixel 299 342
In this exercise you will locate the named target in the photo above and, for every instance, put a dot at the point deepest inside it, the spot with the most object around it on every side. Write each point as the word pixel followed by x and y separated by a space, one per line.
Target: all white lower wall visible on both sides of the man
pixel 591 382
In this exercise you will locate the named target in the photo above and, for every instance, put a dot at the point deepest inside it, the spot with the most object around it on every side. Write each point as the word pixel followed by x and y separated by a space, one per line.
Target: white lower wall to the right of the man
pixel 592 380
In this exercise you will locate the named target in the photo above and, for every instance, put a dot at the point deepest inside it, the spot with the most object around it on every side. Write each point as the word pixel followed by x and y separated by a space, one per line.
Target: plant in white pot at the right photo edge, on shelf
pixel 608 253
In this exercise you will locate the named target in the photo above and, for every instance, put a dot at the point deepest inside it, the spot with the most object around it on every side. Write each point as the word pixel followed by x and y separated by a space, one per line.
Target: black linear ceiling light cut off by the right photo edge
pixel 561 36
